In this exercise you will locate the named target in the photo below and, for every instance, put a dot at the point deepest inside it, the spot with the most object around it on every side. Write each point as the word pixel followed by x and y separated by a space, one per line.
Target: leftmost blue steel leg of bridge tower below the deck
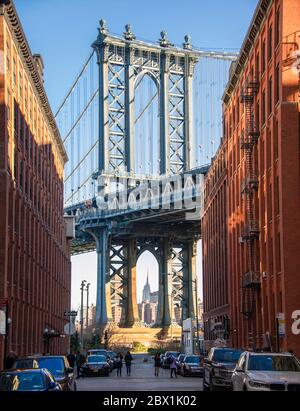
pixel 103 303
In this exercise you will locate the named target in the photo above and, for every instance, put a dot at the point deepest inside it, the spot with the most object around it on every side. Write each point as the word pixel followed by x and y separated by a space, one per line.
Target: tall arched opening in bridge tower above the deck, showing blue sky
pixel 146 130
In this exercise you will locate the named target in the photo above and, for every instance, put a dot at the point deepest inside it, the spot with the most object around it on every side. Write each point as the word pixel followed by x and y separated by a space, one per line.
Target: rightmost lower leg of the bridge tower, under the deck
pixel 189 281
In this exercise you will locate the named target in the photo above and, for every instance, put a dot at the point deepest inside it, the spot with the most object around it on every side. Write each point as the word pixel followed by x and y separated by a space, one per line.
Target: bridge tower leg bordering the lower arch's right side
pixel 164 315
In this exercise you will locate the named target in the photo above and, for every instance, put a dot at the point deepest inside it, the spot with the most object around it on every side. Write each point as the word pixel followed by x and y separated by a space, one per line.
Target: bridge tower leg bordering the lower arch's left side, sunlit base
pixel 132 314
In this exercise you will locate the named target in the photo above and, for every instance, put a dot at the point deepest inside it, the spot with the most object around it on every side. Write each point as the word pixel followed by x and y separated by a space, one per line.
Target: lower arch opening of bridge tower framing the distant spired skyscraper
pixel 147 283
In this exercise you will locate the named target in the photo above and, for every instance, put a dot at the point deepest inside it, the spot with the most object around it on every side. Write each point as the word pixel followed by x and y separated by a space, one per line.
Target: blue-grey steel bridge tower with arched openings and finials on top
pixel 122 63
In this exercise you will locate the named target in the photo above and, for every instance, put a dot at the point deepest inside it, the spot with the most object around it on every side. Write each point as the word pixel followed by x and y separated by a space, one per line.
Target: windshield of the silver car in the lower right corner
pixel 273 363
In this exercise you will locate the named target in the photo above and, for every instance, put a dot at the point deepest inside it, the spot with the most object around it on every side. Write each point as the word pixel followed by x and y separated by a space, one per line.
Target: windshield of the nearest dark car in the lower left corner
pixel 29 381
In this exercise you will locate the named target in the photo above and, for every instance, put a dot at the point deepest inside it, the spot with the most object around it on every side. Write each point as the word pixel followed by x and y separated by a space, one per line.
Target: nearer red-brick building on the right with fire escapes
pixel 261 140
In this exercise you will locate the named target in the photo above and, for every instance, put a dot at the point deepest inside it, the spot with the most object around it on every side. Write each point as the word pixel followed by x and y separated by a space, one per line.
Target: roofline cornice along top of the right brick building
pixel 249 41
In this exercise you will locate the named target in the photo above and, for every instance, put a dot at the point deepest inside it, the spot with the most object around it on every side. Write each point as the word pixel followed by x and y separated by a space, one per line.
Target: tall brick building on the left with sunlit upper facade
pixel 34 253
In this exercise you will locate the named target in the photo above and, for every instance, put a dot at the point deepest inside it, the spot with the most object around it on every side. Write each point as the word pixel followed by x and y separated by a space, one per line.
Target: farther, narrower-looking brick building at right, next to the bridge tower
pixel 214 235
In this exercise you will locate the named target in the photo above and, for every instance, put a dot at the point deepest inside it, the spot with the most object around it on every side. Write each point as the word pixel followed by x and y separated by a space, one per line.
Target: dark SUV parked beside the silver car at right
pixel 218 368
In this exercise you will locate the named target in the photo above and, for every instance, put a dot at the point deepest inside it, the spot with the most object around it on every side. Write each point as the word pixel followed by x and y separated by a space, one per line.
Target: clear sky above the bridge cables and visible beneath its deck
pixel 63 30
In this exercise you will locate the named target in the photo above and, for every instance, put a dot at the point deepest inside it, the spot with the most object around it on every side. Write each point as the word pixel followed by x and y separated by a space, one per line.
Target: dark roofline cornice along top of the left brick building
pixel 14 23
